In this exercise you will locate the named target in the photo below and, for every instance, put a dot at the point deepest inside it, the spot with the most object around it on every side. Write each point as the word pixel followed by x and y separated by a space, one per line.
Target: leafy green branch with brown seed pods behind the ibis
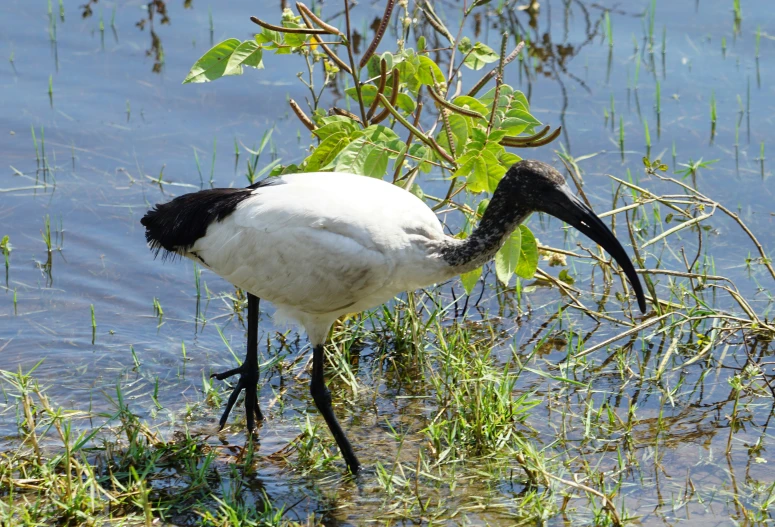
pixel 466 137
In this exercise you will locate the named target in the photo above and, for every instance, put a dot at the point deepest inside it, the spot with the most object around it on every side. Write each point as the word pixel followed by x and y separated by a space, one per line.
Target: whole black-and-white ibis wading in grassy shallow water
pixel 320 245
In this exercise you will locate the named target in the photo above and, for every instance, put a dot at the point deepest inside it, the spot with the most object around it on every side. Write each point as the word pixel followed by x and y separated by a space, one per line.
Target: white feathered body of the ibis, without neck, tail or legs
pixel 319 245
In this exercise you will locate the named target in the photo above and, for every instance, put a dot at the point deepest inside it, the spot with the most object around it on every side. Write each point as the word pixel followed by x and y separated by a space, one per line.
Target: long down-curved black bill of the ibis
pixel 576 213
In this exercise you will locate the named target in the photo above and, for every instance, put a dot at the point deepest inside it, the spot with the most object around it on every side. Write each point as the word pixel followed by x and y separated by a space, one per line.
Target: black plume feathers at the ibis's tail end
pixel 176 225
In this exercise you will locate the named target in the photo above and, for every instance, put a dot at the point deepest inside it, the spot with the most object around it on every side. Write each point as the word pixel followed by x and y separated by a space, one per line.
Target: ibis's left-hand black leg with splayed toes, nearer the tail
pixel 248 373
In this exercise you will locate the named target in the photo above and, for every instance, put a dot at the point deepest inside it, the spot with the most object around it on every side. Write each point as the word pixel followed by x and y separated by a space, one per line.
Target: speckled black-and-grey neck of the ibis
pixel 500 219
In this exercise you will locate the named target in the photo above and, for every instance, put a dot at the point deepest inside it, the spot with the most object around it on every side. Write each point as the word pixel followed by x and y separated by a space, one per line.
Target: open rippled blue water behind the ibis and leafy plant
pixel 119 115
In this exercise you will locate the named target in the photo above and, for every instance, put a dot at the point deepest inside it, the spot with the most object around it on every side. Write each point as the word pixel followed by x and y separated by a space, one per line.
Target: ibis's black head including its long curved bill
pixel 538 187
